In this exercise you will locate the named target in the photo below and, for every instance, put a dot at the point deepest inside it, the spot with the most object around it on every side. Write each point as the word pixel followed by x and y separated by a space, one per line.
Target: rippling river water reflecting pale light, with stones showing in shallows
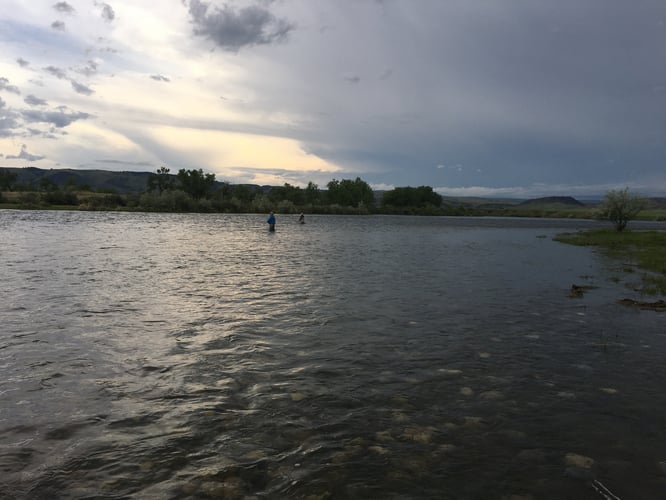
pixel 200 356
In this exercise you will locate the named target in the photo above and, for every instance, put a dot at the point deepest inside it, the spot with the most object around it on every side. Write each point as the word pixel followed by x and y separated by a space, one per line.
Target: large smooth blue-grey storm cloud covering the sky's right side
pixel 517 92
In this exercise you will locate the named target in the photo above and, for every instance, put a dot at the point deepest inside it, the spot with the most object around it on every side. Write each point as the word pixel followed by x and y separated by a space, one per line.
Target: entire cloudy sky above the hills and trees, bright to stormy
pixel 493 98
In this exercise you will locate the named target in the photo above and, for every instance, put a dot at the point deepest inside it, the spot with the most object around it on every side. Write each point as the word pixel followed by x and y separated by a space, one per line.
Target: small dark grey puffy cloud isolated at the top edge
pixel 234 28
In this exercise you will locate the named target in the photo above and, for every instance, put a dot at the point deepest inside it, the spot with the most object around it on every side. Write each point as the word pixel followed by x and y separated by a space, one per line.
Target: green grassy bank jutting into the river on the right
pixel 642 250
